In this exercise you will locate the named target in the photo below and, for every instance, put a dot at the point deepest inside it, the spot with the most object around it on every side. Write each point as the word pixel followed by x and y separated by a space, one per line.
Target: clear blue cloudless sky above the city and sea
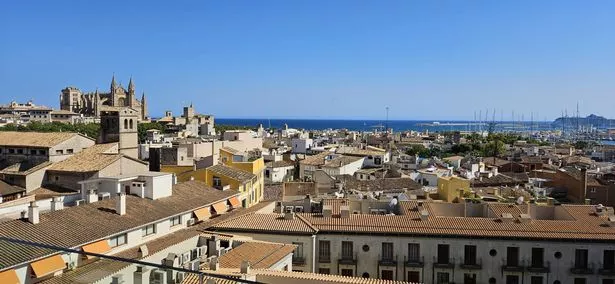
pixel 319 59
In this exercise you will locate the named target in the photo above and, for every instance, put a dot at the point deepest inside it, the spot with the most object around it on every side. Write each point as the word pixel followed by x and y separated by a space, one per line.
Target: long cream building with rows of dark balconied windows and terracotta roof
pixel 433 242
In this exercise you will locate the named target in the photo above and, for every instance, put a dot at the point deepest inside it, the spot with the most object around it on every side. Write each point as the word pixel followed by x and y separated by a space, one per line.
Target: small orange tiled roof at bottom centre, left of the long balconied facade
pixel 259 254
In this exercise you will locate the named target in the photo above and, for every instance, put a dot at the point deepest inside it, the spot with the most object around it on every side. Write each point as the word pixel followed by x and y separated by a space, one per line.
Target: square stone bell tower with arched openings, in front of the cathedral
pixel 121 126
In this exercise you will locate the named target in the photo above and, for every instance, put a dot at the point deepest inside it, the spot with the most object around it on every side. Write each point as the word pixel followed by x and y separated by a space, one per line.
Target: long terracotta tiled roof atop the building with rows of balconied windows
pixel 583 225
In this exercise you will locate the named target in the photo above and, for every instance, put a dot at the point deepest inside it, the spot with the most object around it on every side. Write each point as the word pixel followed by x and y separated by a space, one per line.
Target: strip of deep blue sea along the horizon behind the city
pixel 368 125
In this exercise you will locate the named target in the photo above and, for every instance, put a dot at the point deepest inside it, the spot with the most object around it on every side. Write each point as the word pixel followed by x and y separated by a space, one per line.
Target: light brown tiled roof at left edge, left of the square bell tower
pixel 34 139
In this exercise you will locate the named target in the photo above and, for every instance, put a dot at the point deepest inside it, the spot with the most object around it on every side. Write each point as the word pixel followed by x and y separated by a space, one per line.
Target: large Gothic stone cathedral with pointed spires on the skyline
pixel 93 103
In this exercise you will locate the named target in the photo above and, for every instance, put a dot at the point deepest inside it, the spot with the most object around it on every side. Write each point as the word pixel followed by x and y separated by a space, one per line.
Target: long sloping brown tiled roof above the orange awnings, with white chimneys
pixel 75 226
